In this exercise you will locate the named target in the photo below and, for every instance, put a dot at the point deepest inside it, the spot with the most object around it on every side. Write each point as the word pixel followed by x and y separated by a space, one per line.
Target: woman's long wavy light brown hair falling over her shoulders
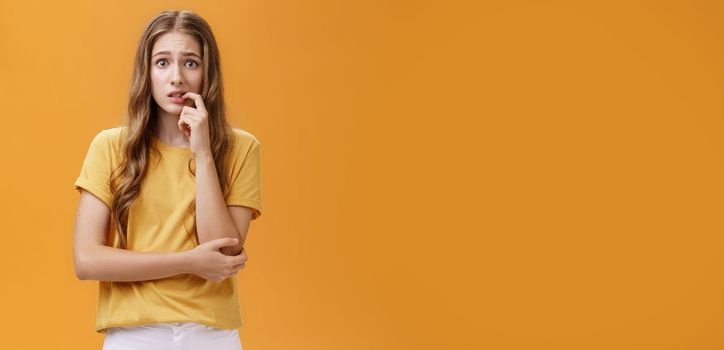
pixel 141 120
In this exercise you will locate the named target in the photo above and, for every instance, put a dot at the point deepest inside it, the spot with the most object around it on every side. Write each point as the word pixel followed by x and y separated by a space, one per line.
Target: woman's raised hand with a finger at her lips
pixel 194 122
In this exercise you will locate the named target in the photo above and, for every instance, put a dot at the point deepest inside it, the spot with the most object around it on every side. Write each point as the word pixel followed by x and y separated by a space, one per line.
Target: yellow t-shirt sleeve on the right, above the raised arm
pixel 245 189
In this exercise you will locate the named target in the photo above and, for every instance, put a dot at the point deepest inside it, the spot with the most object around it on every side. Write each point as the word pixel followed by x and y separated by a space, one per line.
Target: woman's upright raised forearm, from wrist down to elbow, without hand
pixel 213 219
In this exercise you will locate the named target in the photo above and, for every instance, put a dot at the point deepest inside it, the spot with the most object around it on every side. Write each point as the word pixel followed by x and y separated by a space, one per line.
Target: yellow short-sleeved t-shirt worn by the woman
pixel 156 224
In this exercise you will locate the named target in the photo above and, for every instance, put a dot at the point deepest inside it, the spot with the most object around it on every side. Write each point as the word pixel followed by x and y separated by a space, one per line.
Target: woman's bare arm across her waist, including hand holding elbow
pixel 94 259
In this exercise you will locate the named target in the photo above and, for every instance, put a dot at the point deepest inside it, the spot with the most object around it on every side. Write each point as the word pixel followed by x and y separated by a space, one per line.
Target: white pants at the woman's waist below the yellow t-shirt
pixel 171 336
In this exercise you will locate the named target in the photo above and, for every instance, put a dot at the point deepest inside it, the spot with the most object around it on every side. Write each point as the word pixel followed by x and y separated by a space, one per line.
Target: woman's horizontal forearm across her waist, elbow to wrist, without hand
pixel 105 263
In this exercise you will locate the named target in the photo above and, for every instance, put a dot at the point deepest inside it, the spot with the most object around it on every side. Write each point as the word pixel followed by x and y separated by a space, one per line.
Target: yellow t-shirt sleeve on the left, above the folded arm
pixel 95 173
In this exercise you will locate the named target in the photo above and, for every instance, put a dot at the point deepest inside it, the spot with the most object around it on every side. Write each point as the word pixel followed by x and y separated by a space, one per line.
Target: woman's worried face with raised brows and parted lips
pixel 175 66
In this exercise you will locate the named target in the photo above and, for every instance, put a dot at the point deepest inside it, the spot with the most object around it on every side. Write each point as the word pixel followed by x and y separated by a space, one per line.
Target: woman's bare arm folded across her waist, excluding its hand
pixel 95 260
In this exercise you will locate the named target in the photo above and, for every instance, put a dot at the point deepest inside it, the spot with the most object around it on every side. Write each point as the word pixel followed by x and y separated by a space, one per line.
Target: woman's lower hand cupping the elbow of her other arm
pixel 207 262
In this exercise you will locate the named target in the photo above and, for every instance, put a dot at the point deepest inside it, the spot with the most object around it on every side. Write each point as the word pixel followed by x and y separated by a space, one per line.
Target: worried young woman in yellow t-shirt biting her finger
pixel 166 200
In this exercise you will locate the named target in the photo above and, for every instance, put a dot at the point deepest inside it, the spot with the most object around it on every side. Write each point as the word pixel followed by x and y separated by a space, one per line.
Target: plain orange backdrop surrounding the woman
pixel 436 174
